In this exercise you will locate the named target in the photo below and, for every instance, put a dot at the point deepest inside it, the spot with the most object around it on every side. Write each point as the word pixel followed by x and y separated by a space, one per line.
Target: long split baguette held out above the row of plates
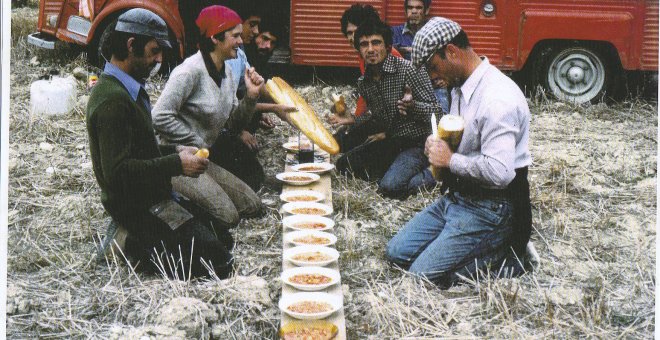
pixel 305 118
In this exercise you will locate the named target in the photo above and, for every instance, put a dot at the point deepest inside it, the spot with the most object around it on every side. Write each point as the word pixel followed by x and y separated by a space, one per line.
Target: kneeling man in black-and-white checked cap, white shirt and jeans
pixel 483 221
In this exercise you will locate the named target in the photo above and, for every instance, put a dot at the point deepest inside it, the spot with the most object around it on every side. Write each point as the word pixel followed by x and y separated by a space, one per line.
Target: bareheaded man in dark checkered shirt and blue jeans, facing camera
pixel 400 101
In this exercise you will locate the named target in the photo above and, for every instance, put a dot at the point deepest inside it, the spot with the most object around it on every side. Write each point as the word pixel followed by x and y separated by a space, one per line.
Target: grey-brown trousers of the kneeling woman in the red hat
pixel 221 194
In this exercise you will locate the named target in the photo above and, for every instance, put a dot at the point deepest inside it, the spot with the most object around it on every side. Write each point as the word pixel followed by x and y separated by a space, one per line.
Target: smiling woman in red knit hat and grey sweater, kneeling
pixel 199 100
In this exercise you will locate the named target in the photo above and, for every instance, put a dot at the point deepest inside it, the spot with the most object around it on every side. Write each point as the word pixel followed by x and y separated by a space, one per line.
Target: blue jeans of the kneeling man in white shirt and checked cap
pixel 456 235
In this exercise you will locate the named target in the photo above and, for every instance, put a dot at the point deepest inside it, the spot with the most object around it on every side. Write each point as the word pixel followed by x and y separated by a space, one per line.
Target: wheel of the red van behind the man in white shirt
pixel 575 74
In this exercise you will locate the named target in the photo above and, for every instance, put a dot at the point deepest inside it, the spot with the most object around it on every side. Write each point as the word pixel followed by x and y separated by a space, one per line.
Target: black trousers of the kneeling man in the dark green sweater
pixel 179 253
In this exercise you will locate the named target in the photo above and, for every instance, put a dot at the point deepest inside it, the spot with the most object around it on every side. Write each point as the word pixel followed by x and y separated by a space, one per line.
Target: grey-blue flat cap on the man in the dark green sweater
pixel 144 22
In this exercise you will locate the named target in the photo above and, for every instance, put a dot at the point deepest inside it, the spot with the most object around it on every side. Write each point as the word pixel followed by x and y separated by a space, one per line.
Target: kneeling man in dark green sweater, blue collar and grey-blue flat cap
pixel 135 173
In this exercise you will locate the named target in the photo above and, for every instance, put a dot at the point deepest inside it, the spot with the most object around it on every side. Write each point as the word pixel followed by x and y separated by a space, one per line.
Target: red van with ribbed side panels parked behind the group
pixel 576 49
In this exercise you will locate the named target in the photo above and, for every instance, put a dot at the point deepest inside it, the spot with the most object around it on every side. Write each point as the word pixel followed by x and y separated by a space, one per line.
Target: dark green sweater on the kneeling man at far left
pixel 128 163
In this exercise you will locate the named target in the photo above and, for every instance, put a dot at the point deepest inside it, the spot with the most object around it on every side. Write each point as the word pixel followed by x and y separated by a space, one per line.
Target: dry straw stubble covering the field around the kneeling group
pixel 594 200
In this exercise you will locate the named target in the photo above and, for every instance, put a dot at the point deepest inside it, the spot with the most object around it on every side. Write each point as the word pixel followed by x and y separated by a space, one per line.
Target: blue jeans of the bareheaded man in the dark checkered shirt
pixel 408 173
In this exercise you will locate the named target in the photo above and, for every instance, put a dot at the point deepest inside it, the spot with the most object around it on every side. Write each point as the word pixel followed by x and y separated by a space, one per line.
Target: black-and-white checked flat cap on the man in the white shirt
pixel 435 34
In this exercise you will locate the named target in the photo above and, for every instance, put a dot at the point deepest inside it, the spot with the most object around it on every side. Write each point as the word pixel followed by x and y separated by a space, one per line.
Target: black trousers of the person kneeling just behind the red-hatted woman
pixel 233 155
